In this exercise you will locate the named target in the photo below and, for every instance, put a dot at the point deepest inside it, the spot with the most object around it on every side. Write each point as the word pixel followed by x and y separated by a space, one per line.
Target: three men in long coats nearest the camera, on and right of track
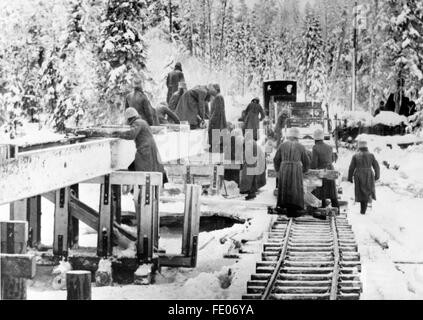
pixel 292 160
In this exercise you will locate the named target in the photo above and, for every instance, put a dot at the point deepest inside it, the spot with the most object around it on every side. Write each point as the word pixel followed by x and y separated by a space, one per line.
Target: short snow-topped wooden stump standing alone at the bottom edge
pixel 78 285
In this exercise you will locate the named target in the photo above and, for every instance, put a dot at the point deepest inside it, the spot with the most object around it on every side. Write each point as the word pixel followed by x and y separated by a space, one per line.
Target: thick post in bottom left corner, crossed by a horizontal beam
pixel 14 238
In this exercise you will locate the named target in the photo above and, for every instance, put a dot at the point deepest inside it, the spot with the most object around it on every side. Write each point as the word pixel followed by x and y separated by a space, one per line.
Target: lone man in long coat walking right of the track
pixel 365 170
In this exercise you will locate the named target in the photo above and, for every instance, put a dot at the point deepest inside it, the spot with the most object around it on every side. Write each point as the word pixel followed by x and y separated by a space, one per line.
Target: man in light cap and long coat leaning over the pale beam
pixel 147 157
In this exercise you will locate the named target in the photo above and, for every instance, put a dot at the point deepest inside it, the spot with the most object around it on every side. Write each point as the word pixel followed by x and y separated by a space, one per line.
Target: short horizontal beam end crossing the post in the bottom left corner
pixel 18 265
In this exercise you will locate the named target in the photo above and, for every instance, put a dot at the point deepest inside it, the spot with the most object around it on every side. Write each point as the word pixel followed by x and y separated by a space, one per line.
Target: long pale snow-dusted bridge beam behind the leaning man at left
pixel 40 171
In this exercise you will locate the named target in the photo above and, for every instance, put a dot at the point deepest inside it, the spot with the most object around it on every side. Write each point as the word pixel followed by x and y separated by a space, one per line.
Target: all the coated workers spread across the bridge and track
pixel 291 161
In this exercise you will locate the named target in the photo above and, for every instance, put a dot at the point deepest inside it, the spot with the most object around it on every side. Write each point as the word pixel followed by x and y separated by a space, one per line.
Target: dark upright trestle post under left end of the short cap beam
pixel 105 231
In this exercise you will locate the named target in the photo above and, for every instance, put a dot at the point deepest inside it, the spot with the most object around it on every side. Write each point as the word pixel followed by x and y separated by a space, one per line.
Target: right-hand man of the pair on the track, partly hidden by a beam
pixel 323 158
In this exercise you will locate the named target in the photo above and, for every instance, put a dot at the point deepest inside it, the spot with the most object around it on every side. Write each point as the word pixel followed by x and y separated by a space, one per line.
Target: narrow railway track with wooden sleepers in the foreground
pixel 307 258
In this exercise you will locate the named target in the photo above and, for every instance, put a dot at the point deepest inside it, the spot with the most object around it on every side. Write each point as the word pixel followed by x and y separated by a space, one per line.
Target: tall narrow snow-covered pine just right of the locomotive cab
pixel 311 68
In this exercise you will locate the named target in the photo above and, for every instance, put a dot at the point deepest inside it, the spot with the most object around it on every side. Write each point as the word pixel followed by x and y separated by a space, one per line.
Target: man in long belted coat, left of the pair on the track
pixel 291 161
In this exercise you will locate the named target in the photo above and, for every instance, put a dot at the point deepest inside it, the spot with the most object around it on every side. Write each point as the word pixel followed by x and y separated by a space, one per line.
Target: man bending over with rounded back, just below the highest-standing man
pixel 192 106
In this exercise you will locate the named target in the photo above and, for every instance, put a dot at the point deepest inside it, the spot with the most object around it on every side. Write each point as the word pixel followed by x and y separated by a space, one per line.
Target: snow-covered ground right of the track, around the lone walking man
pixel 389 236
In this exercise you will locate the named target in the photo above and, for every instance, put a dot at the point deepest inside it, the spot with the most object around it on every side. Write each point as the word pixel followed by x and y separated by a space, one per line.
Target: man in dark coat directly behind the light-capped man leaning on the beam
pixel 139 101
